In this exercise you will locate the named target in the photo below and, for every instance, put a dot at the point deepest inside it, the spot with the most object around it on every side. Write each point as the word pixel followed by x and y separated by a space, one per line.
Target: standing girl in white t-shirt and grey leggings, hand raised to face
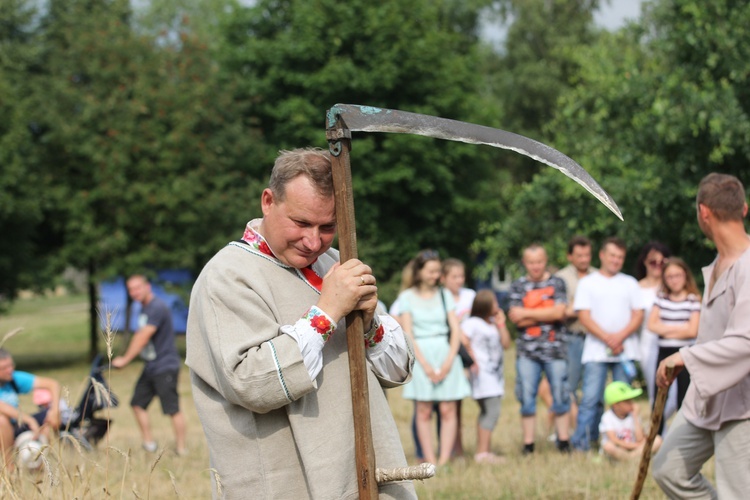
pixel 489 337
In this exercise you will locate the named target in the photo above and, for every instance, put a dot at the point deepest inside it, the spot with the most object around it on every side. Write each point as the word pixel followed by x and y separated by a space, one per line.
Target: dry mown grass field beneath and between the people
pixel 54 343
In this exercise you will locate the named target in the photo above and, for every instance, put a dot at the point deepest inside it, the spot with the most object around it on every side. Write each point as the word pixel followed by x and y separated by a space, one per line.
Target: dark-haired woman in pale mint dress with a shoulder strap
pixel 428 317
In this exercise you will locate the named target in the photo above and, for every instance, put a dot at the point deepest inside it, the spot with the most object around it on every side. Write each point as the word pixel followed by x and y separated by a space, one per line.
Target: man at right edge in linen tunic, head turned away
pixel 714 419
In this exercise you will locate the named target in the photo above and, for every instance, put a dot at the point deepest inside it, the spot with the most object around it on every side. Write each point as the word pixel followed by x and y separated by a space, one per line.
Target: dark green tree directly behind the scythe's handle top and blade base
pixel 298 58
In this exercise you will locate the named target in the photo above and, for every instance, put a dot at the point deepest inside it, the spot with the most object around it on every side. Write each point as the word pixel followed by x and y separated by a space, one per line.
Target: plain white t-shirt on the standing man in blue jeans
pixel 611 301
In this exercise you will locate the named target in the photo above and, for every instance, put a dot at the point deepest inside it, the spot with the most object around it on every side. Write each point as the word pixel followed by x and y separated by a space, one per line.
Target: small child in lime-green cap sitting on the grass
pixel 620 427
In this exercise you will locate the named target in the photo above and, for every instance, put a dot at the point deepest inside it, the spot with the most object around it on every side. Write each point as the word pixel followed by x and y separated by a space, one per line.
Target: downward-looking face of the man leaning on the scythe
pixel 302 226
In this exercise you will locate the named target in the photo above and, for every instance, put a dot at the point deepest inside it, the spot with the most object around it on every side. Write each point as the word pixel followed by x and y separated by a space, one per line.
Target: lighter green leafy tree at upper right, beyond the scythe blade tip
pixel 654 108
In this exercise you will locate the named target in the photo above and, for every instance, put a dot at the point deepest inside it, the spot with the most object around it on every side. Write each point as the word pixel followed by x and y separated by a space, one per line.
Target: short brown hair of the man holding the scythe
pixel 313 163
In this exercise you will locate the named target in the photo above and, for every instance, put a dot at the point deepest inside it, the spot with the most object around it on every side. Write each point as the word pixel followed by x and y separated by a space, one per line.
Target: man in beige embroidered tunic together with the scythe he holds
pixel 267 364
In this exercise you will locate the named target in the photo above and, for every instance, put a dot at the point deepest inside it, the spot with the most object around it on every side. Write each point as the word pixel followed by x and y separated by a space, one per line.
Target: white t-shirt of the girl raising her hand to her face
pixel 488 353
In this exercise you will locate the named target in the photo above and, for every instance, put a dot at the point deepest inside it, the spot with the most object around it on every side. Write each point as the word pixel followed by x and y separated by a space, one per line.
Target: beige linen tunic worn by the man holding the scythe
pixel 272 432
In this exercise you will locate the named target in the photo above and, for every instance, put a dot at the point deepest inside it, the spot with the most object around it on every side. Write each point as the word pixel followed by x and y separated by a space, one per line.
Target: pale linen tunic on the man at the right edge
pixel 719 362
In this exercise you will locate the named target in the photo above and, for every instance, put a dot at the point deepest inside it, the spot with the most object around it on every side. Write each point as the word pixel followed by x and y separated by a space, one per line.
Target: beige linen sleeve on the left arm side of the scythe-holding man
pixel 237 346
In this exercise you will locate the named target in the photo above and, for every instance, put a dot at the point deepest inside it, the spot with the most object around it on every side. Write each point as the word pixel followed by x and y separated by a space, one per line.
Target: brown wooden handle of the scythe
pixel 347 233
